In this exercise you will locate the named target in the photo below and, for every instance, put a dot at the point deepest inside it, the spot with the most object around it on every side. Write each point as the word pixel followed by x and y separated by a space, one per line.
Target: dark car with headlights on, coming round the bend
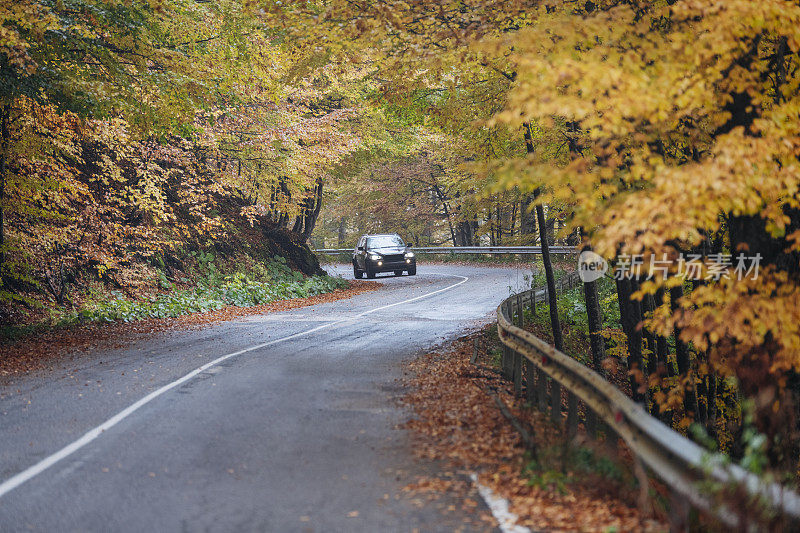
pixel 383 253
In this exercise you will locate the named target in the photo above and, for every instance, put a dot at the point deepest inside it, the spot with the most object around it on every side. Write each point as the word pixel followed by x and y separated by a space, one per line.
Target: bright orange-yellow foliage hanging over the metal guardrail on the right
pixel 686 114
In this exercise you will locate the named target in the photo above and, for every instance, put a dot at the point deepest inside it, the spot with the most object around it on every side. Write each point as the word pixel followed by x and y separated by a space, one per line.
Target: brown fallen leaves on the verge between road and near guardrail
pixel 456 420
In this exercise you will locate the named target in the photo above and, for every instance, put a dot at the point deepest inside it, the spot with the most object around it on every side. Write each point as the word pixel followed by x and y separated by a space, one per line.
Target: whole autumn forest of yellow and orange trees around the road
pixel 142 143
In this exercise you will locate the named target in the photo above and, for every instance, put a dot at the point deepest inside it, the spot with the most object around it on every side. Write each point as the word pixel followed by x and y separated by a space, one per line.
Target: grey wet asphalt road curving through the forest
pixel 295 433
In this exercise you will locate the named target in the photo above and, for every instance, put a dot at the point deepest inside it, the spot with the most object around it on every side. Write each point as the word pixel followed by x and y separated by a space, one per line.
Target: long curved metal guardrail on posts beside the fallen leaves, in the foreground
pixel 680 463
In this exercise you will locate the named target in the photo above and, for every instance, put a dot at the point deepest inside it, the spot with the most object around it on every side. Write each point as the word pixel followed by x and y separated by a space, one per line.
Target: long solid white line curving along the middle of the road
pixel 32 471
